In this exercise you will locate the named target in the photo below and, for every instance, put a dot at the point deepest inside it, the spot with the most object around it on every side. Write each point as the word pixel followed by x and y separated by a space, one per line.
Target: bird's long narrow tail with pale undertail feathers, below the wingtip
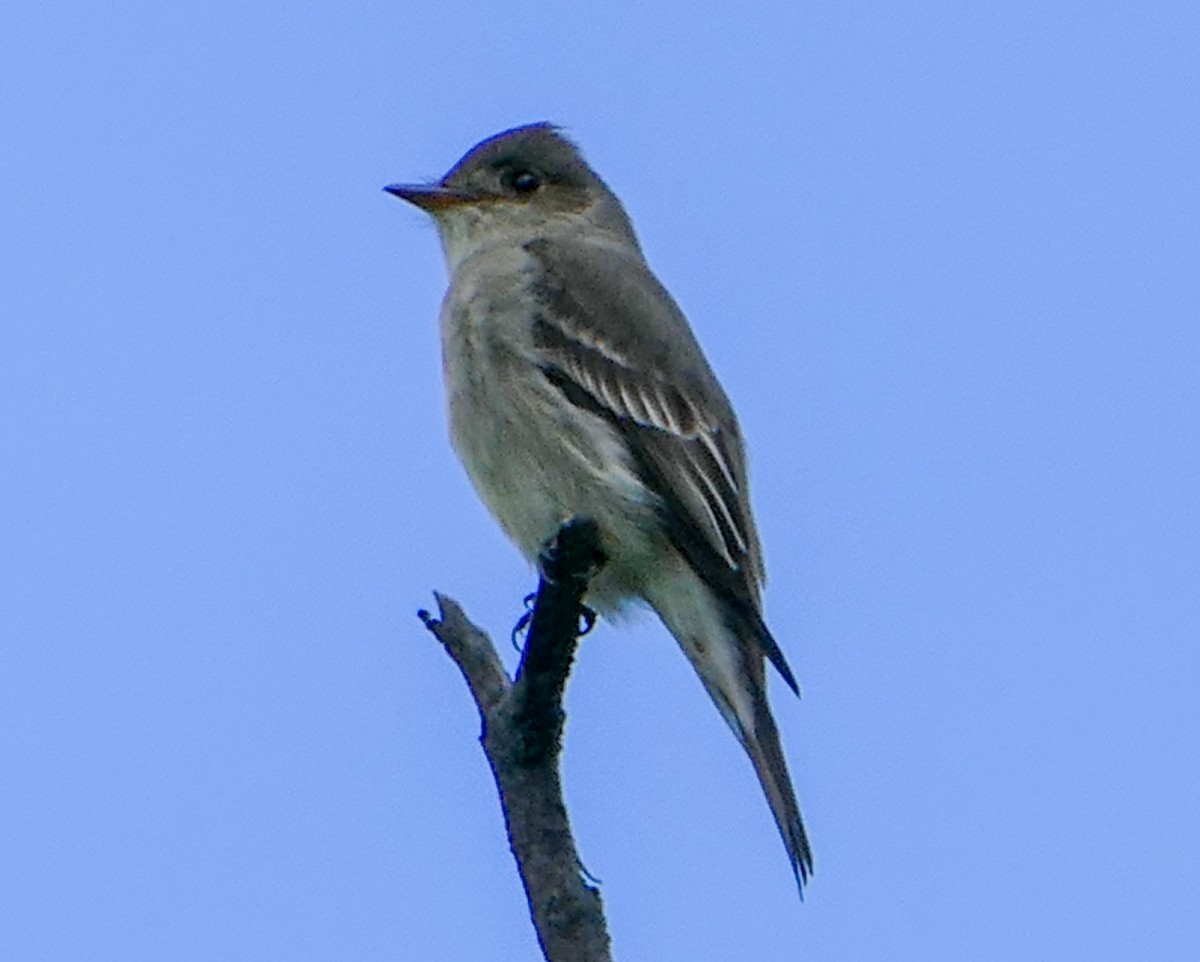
pixel 728 654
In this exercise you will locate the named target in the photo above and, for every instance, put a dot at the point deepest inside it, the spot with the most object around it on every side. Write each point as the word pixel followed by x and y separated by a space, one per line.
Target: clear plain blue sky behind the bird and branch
pixel 946 258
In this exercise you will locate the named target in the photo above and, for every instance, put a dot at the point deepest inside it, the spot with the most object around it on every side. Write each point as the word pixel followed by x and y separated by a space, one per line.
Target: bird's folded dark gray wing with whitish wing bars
pixel 614 341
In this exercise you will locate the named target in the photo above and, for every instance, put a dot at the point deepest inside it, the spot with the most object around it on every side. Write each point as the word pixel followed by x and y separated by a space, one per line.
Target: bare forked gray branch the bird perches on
pixel 523 723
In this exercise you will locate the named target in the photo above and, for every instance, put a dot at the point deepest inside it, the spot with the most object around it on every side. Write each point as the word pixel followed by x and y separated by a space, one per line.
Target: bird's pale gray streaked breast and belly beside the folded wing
pixel 536 459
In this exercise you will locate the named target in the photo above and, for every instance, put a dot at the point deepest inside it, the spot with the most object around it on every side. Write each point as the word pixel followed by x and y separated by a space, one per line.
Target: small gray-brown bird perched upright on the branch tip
pixel 577 389
